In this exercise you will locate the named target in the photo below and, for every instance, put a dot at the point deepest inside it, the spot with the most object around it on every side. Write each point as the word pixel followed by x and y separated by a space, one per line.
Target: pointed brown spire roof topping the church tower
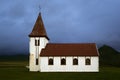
pixel 39 29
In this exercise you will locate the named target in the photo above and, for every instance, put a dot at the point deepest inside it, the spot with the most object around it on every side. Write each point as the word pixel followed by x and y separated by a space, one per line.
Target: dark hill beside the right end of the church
pixel 109 56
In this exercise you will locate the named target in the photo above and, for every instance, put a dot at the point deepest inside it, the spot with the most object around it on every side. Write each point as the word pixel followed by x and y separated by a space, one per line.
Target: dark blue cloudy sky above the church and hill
pixel 71 21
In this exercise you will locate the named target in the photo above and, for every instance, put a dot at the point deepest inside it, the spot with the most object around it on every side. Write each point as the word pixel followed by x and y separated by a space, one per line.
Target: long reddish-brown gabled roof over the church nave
pixel 83 49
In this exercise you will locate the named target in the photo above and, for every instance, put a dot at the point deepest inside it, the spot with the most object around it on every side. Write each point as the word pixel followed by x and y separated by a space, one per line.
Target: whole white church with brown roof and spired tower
pixel 60 57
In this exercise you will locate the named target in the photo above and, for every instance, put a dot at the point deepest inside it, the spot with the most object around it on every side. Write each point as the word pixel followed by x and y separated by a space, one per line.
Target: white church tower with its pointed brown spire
pixel 38 40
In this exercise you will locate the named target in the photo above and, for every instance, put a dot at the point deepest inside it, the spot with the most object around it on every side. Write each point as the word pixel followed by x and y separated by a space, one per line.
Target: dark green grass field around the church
pixel 17 71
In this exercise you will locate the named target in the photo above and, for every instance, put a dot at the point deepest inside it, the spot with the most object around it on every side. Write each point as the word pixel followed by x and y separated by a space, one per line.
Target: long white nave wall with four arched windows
pixel 69 67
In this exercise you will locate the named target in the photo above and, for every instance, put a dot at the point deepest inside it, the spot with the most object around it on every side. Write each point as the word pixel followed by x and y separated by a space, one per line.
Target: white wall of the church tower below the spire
pixel 35 52
